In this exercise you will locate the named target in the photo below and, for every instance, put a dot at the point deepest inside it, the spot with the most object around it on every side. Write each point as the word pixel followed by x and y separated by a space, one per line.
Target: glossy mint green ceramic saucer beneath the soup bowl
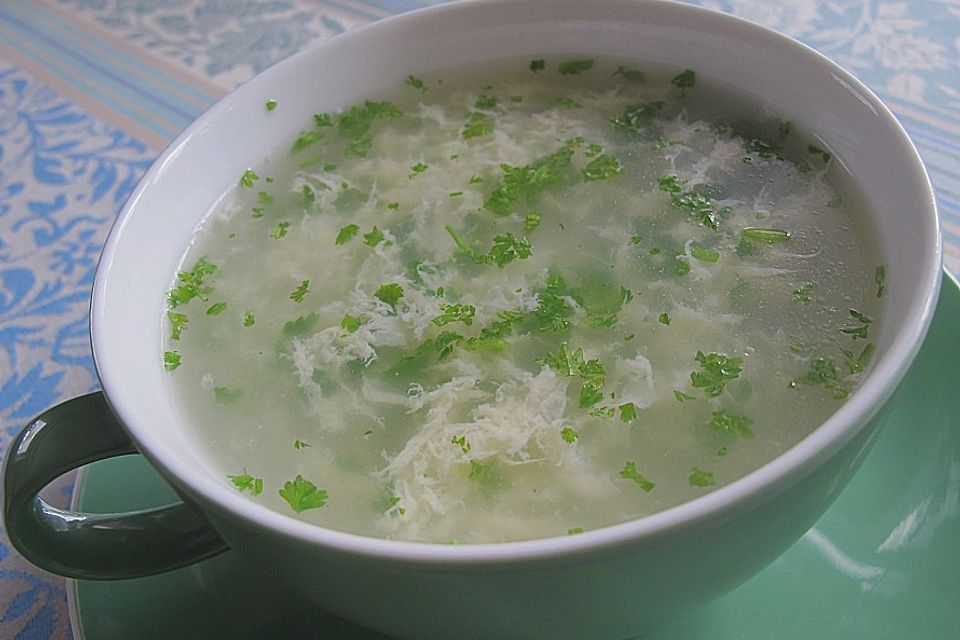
pixel 882 564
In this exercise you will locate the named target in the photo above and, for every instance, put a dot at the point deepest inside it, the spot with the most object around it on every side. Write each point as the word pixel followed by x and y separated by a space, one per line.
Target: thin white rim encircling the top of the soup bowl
pixel 768 480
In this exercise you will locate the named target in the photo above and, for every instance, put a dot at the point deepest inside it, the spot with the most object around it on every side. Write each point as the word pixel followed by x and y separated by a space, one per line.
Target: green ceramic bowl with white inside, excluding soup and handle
pixel 608 583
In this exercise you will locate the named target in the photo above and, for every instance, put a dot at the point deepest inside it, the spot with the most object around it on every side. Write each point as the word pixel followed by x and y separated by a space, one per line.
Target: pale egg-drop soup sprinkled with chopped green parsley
pixel 485 311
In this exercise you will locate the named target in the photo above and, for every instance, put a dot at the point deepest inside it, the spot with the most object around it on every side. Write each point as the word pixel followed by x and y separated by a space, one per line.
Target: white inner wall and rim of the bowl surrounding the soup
pixel 156 225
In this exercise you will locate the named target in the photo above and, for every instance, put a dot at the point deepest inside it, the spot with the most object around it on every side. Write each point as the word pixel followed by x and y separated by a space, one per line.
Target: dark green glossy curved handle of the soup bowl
pixel 91 546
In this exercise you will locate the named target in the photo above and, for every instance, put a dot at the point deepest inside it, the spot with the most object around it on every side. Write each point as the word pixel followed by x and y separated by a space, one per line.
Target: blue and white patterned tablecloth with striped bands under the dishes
pixel 92 90
